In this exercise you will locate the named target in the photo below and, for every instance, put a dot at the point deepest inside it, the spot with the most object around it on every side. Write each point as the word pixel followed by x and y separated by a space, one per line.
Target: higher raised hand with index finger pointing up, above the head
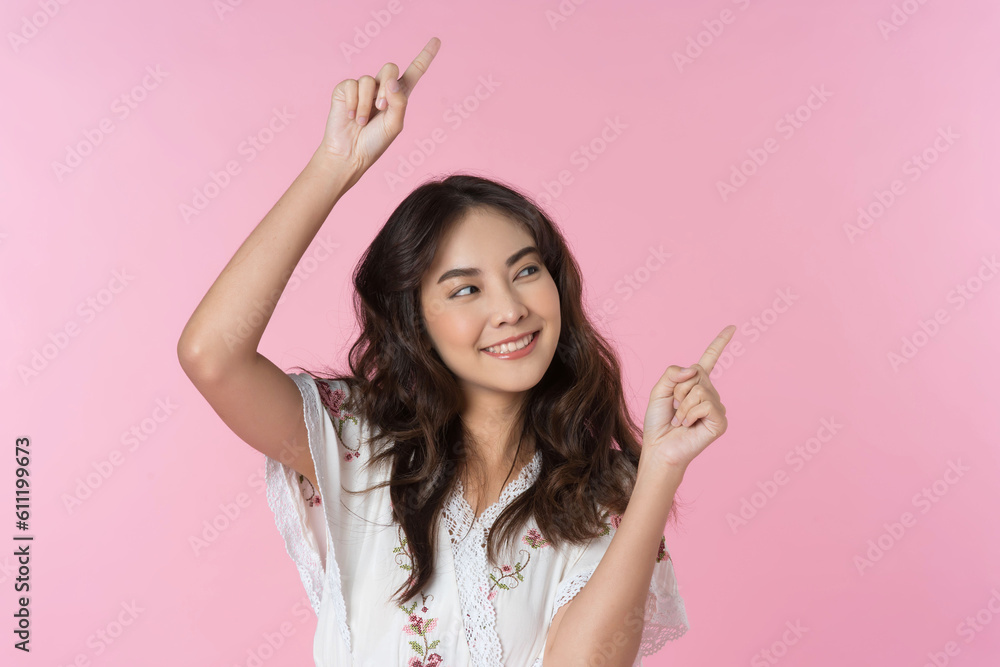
pixel 366 114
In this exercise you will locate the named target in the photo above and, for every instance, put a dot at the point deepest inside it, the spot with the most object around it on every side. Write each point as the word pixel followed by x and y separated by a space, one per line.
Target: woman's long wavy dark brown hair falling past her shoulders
pixel 576 415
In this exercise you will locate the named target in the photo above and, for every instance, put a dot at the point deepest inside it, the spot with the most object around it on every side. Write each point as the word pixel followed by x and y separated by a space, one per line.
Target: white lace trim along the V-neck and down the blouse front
pixel 468 540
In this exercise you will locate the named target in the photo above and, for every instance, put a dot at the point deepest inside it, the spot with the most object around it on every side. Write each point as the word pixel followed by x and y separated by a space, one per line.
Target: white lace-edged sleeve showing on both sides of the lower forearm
pixel 664 618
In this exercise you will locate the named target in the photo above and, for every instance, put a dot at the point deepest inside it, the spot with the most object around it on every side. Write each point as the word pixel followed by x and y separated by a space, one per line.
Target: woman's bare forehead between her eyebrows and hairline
pixel 482 239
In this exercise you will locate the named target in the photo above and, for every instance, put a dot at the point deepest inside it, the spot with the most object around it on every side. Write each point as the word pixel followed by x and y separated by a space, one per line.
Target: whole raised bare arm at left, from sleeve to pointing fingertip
pixel 218 347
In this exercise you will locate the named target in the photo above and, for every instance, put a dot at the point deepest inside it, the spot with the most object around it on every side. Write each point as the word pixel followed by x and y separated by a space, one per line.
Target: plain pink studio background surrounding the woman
pixel 855 301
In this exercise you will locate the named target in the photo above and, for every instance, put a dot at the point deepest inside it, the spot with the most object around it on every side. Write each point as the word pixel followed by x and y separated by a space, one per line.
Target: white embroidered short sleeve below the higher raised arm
pixel 305 516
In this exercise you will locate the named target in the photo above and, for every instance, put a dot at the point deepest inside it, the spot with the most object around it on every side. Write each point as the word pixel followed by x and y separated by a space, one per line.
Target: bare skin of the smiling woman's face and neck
pixel 467 313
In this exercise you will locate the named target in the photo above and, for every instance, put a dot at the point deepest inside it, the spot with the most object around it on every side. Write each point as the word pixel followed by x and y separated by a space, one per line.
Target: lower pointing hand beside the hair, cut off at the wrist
pixel 685 414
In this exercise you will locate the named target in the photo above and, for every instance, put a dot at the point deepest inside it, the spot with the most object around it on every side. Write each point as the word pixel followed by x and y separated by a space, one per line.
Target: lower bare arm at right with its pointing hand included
pixel 684 416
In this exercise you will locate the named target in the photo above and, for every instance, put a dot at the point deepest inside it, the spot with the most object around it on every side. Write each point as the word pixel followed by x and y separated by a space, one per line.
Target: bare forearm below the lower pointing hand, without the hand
pixel 609 609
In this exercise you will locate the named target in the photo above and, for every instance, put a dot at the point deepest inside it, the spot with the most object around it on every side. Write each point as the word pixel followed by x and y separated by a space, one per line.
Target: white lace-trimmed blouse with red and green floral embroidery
pixel 352 555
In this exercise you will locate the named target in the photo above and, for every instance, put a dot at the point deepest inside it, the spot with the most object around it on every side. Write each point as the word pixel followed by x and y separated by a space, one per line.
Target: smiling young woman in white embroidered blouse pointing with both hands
pixel 474 491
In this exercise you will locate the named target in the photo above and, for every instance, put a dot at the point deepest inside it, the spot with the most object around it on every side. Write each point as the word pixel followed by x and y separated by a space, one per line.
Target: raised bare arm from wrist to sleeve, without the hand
pixel 218 347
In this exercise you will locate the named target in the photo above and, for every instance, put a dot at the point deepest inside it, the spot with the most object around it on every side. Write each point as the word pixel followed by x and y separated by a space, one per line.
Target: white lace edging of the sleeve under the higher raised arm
pixel 290 517
